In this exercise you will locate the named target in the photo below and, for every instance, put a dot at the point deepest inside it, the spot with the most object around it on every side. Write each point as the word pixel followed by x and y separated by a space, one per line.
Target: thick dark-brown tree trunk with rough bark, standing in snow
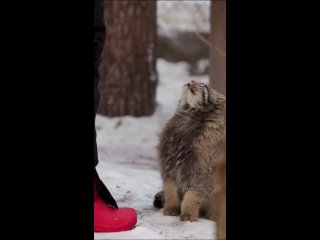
pixel 129 76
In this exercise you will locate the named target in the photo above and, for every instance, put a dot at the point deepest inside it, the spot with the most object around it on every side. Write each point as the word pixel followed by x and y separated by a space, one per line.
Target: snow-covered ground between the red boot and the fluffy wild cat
pixel 129 167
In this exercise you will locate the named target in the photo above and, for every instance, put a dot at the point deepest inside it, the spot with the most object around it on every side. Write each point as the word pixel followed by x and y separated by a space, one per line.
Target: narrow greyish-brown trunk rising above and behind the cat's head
pixel 218 46
